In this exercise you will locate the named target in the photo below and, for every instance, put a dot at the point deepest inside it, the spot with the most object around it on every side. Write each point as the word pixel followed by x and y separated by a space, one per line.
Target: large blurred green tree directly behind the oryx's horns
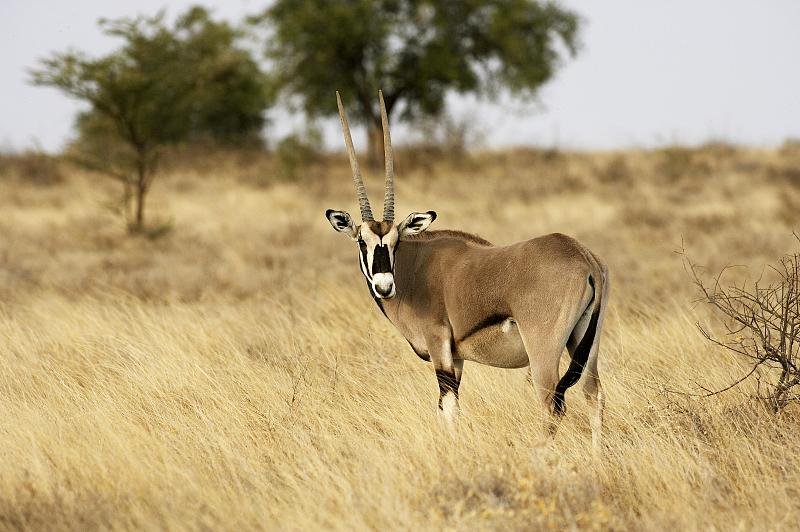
pixel 414 50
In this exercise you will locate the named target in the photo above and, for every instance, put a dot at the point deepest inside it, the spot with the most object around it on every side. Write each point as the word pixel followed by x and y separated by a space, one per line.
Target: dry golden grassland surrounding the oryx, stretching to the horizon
pixel 233 373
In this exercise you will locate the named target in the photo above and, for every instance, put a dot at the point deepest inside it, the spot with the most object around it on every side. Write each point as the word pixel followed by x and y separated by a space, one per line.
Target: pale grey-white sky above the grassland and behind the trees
pixel 650 73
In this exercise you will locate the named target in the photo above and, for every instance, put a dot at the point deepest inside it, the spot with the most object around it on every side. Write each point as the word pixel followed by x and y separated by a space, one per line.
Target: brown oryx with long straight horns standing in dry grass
pixel 456 297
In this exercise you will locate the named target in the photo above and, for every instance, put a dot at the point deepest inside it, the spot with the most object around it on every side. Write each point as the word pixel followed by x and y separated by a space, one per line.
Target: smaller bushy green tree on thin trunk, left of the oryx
pixel 162 86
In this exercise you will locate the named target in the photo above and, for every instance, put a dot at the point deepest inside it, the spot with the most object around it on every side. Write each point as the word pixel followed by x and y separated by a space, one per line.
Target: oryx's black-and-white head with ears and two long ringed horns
pixel 377 241
